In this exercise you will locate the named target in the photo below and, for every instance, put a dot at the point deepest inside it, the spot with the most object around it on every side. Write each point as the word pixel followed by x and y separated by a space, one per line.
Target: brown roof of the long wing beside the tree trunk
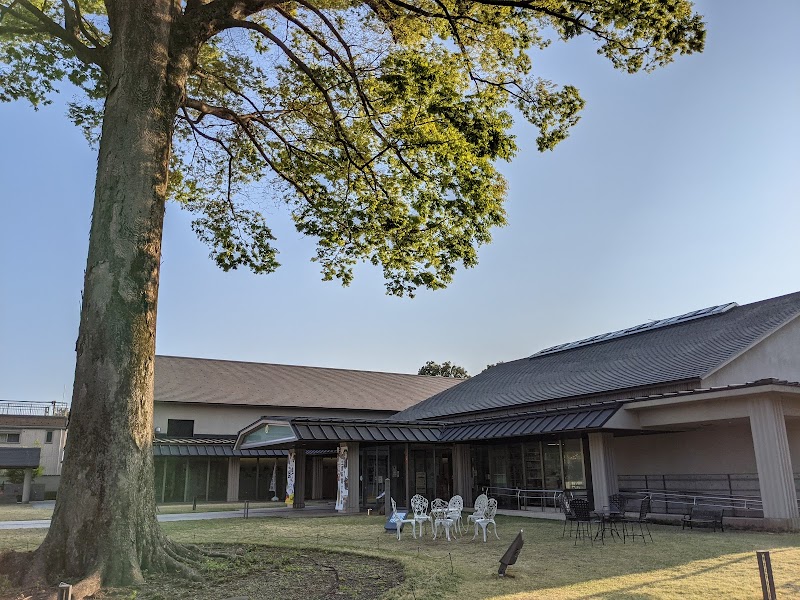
pixel 205 381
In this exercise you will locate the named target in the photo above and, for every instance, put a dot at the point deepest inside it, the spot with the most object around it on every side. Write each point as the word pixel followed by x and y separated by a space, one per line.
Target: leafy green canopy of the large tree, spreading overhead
pixel 378 122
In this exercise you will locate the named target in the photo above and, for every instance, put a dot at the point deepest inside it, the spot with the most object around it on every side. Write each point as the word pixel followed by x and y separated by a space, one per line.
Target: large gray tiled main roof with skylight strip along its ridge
pixel 681 352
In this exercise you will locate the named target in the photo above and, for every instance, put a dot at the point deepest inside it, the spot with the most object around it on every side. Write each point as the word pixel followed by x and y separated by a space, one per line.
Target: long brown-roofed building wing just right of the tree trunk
pixel 201 405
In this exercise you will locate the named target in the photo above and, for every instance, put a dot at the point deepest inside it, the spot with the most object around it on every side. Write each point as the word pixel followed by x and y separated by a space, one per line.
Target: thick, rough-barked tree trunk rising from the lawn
pixel 104 522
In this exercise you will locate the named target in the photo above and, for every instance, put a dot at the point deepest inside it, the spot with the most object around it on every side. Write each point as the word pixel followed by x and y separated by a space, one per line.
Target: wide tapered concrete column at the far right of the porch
pixel 774 463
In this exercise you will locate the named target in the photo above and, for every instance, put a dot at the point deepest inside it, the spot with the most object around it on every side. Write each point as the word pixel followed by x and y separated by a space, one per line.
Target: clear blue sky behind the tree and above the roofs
pixel 677 190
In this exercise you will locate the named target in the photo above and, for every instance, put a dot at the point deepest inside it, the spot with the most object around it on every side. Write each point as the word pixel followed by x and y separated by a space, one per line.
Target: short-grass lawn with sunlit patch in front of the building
pixel 680 564
